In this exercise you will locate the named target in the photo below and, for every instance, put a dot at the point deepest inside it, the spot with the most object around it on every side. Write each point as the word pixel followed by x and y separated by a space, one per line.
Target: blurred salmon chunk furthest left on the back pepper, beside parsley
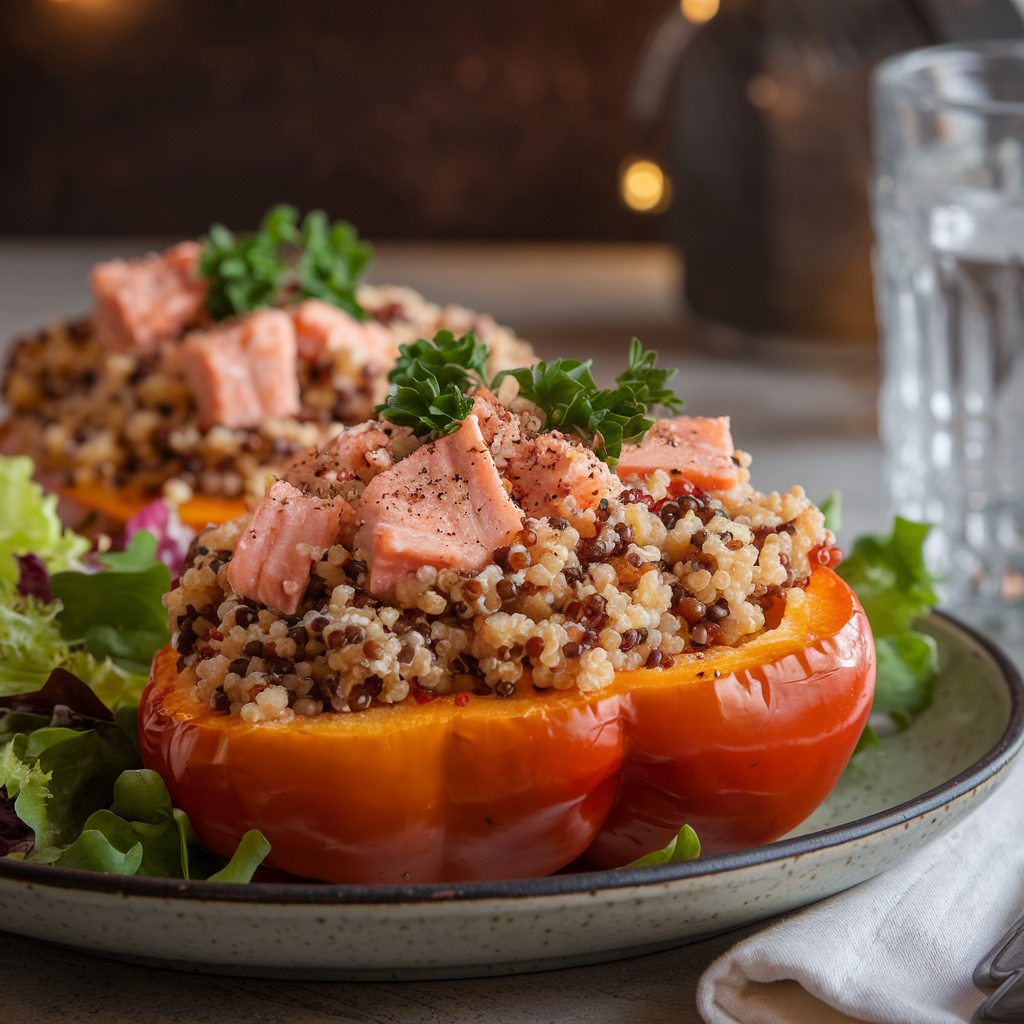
pixel 142 303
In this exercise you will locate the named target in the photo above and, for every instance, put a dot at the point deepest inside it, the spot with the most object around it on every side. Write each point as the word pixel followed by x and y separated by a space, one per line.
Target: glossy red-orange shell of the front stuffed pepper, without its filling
pixel 742 744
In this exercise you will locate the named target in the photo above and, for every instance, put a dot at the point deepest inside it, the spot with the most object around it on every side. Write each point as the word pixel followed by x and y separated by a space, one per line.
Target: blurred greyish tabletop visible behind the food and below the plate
pixel 804 411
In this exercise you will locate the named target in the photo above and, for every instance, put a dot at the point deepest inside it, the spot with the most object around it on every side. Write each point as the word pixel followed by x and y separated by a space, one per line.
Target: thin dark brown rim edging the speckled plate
pixel 999 758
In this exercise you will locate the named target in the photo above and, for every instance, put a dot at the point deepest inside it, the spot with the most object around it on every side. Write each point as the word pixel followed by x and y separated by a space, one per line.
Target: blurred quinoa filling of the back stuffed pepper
pixel 90 415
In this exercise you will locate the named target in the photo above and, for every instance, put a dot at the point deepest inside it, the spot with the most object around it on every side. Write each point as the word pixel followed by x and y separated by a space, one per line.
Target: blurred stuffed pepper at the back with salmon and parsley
pixel 203 368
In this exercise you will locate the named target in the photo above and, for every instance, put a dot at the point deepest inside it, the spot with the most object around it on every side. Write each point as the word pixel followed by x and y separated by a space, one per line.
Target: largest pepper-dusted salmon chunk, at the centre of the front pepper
pixel 443 506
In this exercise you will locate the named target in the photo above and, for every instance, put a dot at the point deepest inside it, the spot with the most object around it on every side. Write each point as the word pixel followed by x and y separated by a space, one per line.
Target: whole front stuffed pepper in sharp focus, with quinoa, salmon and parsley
pixel 509 624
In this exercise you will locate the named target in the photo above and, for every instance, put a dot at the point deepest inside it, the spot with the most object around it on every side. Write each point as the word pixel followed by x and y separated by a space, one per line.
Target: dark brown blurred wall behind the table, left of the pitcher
pixel 452 120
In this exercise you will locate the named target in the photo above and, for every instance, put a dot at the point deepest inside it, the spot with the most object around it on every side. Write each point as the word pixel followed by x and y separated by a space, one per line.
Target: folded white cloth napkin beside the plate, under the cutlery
pixel 899 950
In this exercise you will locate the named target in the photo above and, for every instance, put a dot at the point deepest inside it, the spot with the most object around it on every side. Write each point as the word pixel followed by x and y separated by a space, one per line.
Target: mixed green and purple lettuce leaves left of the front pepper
pixel 77 636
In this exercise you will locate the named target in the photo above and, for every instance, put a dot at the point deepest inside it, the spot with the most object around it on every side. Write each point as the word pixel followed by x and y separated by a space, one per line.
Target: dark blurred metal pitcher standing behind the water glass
pixel 767 145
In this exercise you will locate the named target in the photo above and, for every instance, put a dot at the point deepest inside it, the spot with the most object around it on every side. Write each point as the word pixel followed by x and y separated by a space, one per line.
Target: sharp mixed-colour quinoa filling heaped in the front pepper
pixel 664 570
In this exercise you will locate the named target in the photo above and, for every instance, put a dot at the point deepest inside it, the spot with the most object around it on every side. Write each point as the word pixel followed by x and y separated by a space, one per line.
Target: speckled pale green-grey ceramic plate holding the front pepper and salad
pixel 891 801
